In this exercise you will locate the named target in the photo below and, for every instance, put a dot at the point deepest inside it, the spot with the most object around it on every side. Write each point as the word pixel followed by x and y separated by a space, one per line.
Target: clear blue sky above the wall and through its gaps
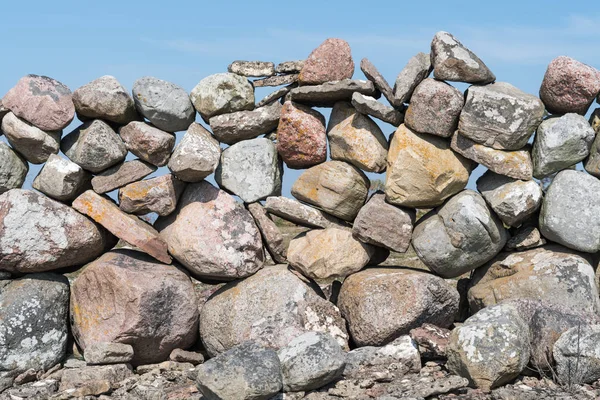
pixel 184 41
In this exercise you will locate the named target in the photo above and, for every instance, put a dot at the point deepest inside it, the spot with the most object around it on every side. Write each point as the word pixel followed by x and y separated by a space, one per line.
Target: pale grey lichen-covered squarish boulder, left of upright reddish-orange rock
pixel 251 169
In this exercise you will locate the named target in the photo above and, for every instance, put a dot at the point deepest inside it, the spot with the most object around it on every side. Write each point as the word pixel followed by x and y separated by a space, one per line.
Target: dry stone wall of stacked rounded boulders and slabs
pixel 507 277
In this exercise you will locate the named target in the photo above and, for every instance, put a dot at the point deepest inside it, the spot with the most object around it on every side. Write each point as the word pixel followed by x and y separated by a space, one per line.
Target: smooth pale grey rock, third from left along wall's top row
pixel 166 105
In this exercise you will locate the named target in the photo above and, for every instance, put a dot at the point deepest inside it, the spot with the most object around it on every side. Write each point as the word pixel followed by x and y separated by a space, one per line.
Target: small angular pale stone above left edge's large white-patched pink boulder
pixel 61 179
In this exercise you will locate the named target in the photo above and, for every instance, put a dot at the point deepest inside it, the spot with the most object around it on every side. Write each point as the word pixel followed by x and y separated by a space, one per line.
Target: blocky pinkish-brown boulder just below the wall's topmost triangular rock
pixel 434 108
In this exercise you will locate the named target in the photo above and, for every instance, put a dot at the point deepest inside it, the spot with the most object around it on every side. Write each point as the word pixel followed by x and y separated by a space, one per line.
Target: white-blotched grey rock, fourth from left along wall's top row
pixel 221 94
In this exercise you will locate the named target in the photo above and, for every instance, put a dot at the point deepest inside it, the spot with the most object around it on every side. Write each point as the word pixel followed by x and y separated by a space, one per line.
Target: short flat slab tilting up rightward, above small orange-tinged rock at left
pixel 120 175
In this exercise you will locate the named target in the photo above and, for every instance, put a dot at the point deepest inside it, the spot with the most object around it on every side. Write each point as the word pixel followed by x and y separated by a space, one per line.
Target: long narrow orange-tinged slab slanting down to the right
pixel 124 226
